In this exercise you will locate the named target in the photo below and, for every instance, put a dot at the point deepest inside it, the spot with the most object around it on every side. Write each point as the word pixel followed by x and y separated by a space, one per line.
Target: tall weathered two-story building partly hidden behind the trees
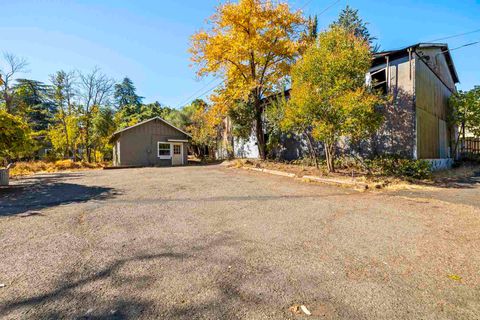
pixel 420 79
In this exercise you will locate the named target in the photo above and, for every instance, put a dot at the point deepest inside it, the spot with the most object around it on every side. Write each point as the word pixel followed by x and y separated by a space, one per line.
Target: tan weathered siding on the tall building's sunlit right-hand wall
pixel 432 94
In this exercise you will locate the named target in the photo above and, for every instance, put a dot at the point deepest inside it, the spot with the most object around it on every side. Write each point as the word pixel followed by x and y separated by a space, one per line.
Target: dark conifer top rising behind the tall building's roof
pixel 350 20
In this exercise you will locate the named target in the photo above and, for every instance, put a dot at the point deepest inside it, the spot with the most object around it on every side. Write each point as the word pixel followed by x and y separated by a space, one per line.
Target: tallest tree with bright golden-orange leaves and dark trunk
pixel 252 45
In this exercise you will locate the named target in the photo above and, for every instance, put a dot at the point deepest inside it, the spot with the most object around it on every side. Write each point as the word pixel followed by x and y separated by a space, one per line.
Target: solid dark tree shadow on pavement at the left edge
pixel 46 191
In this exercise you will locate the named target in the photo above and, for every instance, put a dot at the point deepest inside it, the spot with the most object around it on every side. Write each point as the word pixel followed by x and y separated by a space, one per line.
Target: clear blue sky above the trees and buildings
pixel 148 40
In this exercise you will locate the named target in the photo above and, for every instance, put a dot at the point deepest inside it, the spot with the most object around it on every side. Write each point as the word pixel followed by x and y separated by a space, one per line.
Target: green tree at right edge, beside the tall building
pixel 465 113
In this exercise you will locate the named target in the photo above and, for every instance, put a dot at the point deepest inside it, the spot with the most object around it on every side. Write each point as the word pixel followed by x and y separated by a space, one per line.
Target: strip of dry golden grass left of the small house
pixel 31 167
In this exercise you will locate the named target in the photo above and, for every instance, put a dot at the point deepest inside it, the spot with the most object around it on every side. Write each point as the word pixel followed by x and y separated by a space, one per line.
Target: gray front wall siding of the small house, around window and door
pixel 138 145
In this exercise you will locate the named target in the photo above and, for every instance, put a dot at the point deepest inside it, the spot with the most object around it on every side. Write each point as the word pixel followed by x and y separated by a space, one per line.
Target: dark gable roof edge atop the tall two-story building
pixel 400 53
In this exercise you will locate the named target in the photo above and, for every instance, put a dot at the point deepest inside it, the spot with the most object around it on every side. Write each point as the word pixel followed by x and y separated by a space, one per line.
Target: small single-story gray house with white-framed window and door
pixel 153 142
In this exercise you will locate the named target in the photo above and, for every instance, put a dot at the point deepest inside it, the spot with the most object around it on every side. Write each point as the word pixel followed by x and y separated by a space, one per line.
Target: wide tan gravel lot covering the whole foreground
pixel 217 243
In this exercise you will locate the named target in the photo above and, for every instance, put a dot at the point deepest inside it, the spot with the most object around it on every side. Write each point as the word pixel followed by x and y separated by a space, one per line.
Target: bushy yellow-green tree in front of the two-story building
pixel 329 97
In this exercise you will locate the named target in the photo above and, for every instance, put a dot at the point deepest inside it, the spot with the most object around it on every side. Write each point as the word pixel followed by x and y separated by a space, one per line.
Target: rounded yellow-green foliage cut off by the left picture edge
pixel 15 140
